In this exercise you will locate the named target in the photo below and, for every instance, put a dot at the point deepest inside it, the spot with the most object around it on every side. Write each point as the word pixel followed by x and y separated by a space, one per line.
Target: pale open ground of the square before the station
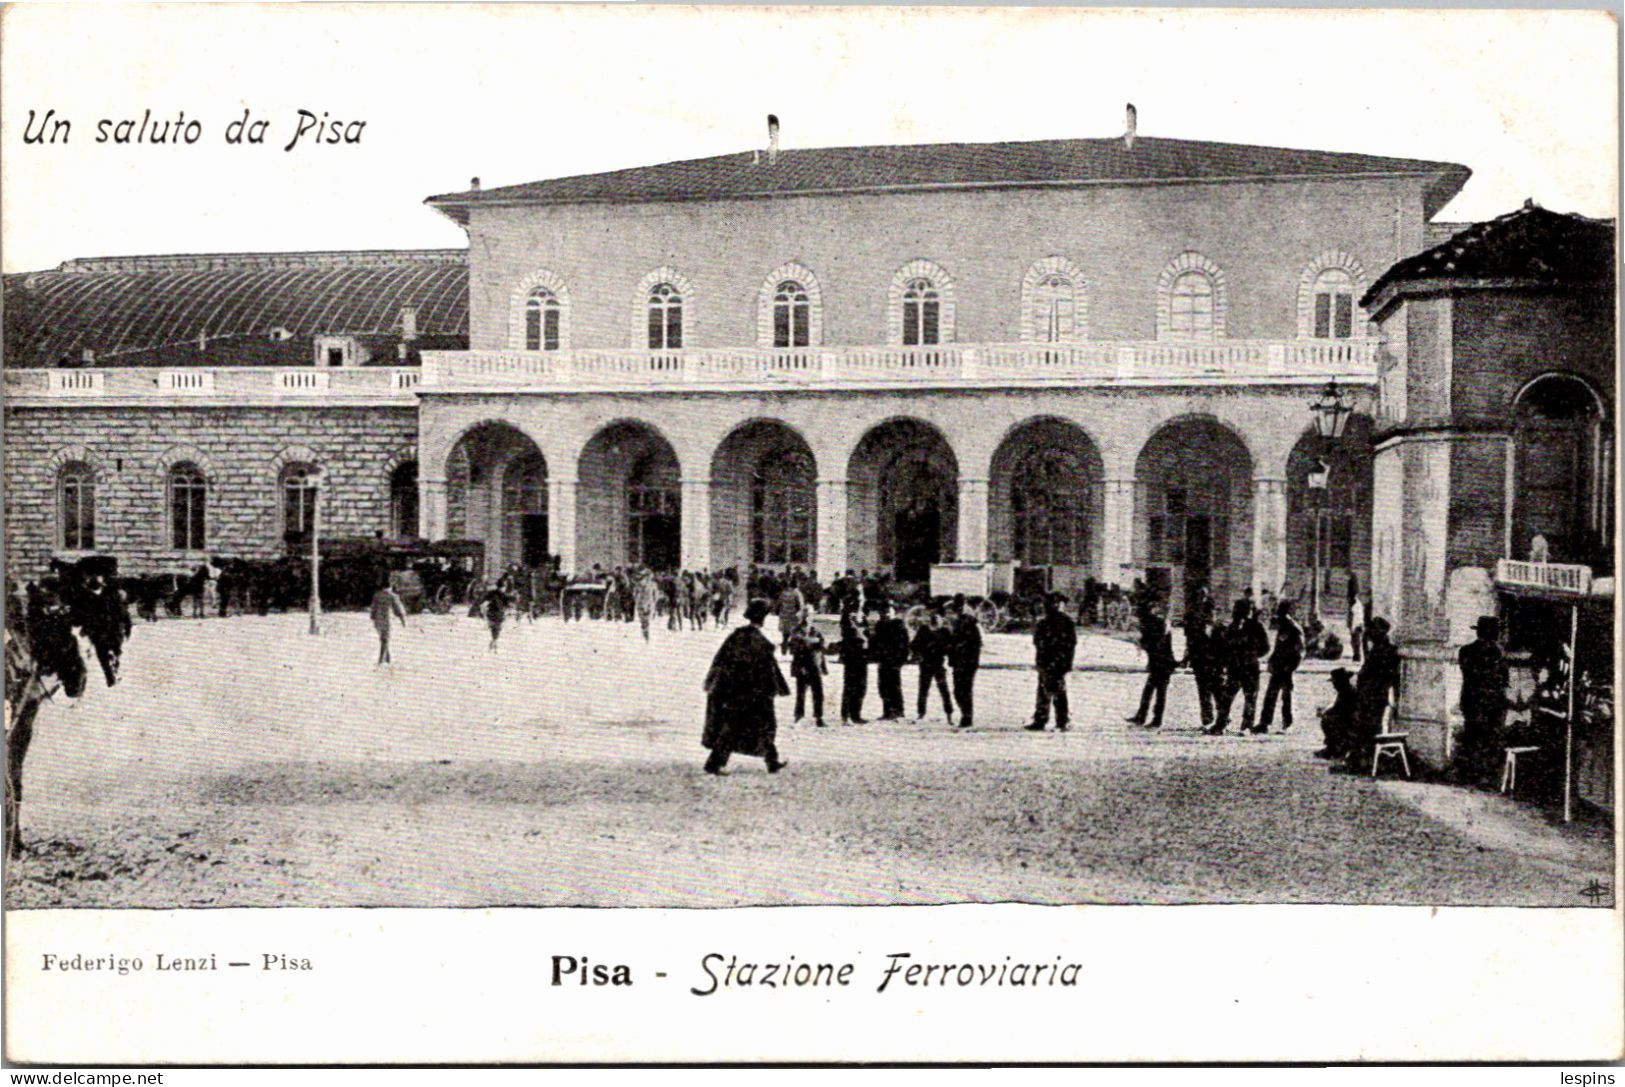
pixel 245 763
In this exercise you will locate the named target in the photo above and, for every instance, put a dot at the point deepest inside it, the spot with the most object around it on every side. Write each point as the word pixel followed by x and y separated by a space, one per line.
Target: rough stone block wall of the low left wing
pixel 241 453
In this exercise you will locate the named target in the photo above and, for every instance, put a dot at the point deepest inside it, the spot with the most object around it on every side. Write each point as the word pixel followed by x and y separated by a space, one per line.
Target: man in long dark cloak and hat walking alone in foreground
pixel 740 690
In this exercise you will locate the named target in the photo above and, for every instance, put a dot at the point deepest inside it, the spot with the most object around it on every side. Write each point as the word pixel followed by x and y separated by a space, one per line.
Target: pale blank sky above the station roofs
pixel 519 93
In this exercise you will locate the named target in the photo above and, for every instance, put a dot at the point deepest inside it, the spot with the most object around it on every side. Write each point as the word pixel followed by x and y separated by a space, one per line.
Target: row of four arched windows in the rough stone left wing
pixel 188 495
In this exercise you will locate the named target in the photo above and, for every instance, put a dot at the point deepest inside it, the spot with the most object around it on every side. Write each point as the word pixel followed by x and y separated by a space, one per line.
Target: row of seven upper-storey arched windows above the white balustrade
pixel 1192 305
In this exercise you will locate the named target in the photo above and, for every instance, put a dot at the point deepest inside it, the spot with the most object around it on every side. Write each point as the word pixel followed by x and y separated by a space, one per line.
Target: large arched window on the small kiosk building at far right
pixel 1562 472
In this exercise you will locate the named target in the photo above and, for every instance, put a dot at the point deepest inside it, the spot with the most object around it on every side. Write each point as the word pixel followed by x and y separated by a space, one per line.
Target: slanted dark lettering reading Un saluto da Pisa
pixel 303 129
